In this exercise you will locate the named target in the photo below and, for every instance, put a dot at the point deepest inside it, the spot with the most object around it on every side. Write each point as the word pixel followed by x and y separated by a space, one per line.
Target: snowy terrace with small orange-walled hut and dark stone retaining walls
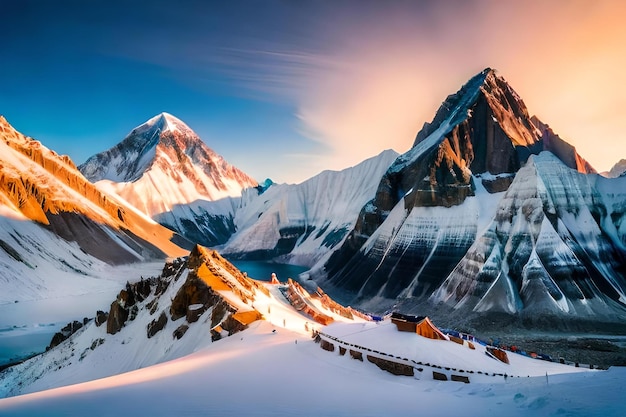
pixel 413 346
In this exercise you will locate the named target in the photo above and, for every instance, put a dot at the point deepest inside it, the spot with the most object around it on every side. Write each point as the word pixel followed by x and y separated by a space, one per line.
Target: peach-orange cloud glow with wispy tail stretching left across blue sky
pixel 365 76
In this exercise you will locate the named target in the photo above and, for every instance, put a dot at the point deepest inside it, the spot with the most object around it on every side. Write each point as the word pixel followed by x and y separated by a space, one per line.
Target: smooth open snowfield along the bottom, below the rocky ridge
pixel 263 373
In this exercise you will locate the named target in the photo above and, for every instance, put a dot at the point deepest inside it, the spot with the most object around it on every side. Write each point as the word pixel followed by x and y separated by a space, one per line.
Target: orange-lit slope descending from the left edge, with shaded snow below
pixel 57 230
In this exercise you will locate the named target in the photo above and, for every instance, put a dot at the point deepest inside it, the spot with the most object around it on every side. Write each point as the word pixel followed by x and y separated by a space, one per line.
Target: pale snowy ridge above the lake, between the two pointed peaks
pixel 302 223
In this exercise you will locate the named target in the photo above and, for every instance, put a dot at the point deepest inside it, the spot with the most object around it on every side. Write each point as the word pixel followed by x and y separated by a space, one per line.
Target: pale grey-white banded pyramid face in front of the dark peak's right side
pixel 552 253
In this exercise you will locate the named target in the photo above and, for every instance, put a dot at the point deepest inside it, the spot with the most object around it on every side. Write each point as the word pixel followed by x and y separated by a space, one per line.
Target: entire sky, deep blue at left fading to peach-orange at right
pixel 285 89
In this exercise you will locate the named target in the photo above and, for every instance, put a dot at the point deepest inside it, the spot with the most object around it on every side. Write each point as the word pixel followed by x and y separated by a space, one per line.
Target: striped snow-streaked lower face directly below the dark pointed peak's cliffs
pixel 435 237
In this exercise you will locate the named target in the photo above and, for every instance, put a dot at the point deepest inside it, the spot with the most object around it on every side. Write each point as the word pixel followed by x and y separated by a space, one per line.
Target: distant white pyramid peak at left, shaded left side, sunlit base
pixel 163 164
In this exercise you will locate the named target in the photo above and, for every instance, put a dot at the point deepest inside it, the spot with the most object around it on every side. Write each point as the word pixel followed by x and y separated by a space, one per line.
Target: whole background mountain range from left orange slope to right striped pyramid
pixel 489 218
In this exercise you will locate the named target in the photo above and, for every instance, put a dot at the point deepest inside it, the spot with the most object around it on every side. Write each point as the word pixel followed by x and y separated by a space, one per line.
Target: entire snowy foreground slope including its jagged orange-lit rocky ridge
pixel 271 365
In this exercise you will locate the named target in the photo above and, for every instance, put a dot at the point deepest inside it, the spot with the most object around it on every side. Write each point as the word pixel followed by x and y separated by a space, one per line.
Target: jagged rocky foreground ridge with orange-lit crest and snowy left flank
pixel 195 301
